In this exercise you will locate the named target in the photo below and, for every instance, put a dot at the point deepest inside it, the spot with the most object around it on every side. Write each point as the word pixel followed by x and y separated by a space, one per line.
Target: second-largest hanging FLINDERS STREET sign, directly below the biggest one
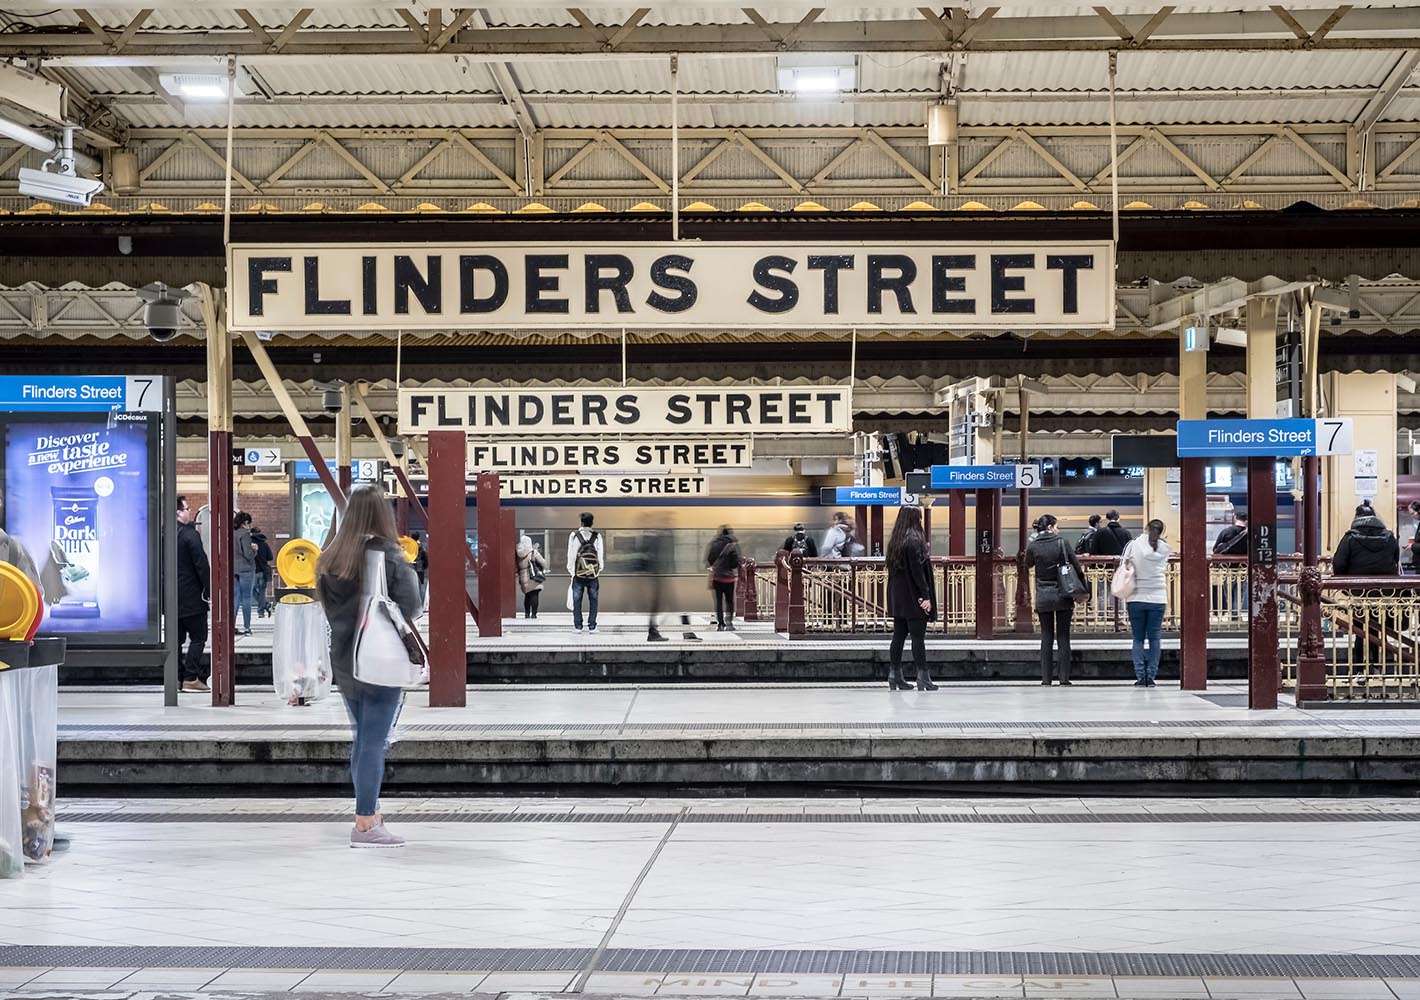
pixel 809 410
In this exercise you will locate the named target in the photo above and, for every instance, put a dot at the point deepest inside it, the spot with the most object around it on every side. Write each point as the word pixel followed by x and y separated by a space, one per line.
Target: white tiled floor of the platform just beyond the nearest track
pixel 814 708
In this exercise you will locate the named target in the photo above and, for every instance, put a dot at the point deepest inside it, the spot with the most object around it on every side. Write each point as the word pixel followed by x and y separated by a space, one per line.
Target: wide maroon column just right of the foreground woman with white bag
pixel 448 560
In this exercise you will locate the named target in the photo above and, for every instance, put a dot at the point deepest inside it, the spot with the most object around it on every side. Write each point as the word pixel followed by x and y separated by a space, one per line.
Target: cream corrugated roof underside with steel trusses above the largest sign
pixel 526 109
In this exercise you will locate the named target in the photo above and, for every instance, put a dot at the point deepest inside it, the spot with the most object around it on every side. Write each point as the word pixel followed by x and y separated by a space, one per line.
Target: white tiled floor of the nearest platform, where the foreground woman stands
pixel 1174 886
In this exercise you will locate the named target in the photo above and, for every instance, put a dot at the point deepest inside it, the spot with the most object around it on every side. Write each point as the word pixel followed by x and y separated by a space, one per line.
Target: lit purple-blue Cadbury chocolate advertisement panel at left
pixel 80 505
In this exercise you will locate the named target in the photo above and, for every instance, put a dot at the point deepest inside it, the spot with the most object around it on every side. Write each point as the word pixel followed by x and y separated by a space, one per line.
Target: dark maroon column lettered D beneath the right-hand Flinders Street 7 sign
pixel 1263 674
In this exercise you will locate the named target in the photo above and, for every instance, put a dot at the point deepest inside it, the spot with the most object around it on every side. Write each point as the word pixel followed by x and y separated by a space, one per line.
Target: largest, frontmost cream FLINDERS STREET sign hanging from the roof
pixel 978 286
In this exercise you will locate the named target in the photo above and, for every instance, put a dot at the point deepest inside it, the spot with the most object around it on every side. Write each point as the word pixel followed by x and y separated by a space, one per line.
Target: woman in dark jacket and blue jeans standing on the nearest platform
pixel 366 529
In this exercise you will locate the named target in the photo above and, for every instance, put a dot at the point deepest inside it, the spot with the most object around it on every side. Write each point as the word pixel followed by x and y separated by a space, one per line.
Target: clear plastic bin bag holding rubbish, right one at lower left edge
pixel 38 708
